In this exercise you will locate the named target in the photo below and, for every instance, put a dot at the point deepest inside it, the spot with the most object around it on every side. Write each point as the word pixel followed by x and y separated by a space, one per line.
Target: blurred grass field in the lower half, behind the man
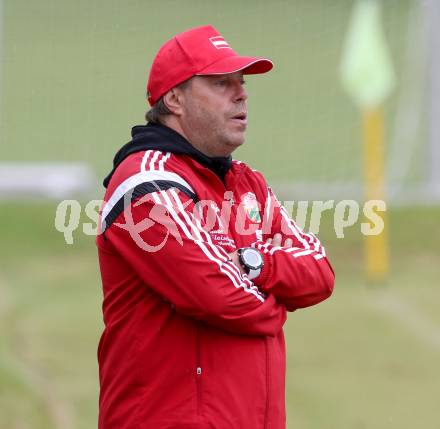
pixel 367 358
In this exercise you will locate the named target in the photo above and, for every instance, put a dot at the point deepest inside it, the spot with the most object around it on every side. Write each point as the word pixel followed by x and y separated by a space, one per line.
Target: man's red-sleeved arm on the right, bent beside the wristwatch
pixel 296 269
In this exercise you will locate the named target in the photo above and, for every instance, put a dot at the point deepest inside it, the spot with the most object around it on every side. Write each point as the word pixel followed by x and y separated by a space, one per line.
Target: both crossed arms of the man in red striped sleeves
pixel 200 280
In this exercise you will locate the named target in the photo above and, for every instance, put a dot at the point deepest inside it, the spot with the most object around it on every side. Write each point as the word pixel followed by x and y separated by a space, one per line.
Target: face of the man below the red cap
pixel 214 113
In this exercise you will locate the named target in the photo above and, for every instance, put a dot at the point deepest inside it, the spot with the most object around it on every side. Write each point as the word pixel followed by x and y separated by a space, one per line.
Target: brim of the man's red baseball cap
pixel 233 64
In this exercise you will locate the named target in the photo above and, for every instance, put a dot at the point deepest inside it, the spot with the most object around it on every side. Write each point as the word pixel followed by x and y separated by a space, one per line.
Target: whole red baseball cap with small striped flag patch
pixel 199 51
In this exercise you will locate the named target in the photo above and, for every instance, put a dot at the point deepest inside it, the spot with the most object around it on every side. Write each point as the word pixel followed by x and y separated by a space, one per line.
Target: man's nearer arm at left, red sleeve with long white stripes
pixel 175 257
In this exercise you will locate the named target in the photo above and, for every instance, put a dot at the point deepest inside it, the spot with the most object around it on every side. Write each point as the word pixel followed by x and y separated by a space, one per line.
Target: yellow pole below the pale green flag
pixel 376 246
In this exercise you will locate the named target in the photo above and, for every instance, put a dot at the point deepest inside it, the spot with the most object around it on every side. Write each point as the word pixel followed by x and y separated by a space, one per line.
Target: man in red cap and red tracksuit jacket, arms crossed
pixel 199 261
